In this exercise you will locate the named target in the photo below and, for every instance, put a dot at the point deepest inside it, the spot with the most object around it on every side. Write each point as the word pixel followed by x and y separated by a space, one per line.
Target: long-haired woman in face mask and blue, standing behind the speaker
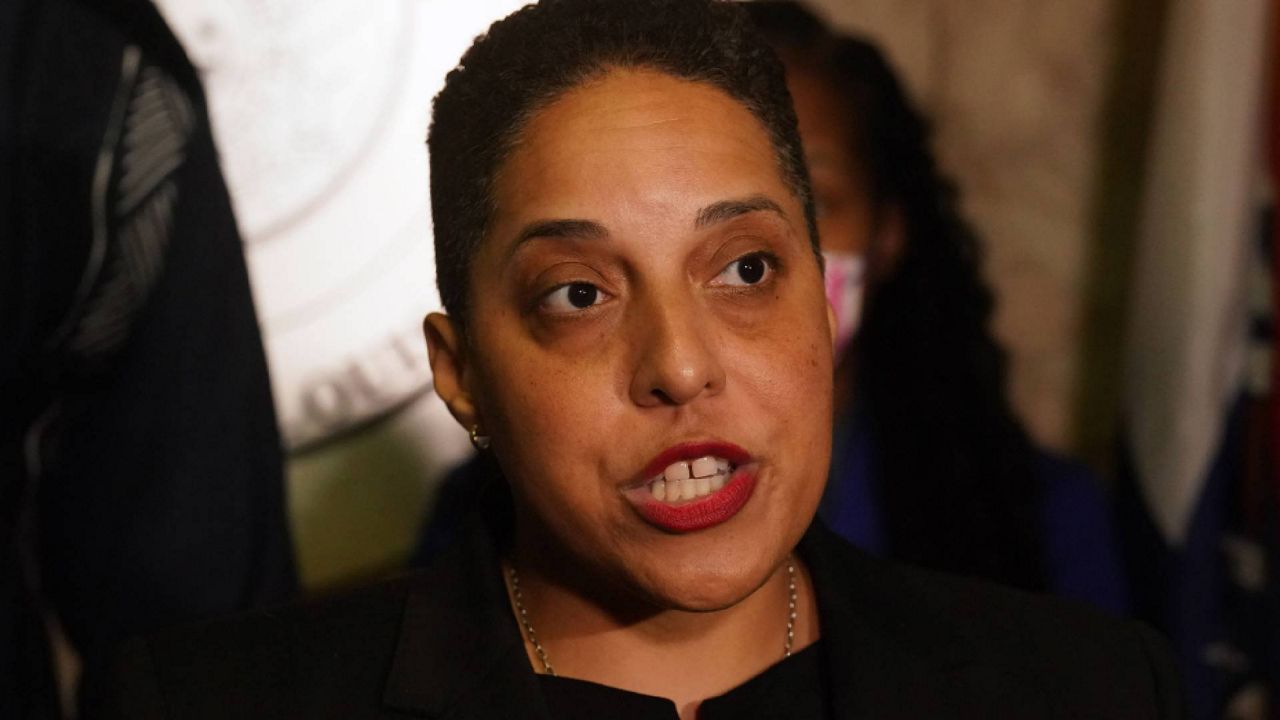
pixel 930 464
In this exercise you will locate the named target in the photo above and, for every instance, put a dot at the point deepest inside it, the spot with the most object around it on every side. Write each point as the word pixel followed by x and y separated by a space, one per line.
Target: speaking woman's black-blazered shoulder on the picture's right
pixel 952 642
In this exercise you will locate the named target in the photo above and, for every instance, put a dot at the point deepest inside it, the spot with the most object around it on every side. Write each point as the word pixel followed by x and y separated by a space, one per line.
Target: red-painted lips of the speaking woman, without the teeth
pixel 706 512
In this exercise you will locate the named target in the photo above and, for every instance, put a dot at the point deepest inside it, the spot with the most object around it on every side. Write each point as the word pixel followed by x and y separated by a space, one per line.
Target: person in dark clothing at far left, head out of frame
pixel 140 462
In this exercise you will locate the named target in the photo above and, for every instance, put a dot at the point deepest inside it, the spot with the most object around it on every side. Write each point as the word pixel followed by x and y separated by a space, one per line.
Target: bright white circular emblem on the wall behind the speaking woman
pixel 321 112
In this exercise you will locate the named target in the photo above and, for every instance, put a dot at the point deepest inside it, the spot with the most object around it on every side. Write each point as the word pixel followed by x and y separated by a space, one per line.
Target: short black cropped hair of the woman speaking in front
pixel 533 57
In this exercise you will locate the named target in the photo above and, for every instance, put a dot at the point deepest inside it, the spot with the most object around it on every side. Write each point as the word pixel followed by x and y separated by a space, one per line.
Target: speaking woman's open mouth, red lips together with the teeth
pixel 694 486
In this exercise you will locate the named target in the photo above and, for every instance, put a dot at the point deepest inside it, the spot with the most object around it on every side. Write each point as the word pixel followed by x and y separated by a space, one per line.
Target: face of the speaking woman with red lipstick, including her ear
pixel 647 307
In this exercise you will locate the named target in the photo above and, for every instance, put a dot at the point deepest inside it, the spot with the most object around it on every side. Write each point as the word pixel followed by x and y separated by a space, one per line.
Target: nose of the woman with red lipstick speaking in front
pixel 678 358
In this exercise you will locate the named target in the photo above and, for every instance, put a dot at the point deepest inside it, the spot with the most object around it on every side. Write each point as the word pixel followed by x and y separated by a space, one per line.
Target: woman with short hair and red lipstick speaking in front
pixel 638 335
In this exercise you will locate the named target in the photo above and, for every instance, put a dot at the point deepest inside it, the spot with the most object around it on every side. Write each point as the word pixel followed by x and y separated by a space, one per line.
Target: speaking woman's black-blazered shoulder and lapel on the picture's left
pixel 423 644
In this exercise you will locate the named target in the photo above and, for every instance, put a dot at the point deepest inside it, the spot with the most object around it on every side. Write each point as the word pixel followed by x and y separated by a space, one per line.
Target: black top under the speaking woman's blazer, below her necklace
pixel 792 690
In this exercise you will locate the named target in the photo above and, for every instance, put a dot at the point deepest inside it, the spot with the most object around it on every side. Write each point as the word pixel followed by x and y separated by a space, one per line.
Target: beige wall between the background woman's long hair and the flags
pixel 1014 88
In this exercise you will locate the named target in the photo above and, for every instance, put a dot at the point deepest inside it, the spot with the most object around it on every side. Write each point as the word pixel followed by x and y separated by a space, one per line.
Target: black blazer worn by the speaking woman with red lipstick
pixel 899 644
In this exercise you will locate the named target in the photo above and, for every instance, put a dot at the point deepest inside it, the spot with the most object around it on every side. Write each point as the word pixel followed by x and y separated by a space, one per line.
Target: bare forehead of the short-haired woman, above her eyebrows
pixel 637 140
